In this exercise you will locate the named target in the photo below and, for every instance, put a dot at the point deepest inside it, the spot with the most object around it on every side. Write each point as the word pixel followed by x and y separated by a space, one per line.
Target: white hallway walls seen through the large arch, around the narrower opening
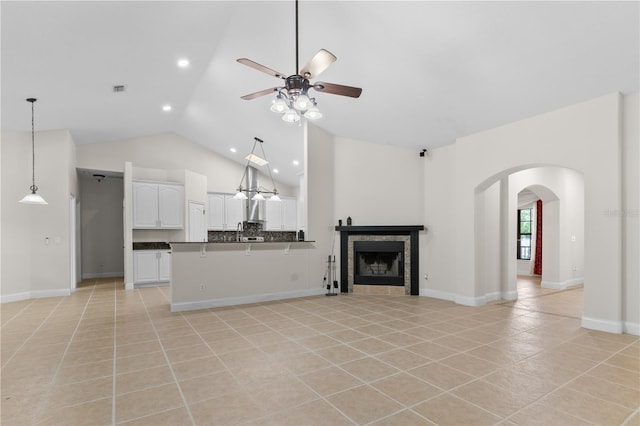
pixel 496 223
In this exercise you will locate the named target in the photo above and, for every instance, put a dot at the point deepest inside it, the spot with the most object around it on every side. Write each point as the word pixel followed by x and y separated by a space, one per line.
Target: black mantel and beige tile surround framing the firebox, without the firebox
pixel 406 234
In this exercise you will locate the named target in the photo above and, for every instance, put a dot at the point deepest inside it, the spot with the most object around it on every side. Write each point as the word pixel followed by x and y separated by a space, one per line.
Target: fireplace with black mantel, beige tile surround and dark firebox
pixel 380 258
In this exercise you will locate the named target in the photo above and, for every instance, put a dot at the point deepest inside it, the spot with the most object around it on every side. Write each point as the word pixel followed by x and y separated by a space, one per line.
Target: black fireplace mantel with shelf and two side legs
pixel 409 230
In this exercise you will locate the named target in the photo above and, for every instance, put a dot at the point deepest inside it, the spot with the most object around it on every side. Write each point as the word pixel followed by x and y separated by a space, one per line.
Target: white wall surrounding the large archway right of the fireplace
pixel 584 137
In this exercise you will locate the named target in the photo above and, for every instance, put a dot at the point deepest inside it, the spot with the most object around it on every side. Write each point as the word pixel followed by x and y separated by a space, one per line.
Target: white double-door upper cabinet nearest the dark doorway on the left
pixel 157 205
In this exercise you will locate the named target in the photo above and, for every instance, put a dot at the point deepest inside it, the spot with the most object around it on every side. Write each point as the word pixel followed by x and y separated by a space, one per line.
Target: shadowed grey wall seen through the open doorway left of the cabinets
pixel 102 227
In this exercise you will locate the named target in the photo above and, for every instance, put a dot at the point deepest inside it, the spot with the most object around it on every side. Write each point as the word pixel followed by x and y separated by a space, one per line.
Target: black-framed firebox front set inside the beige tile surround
pixel 379 262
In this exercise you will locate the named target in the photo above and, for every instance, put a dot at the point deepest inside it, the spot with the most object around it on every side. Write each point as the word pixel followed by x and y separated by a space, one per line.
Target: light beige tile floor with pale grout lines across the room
pixel 107 356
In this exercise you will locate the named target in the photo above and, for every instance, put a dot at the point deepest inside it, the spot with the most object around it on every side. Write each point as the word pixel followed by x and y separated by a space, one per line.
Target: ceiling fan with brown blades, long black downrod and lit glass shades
pixel 293 97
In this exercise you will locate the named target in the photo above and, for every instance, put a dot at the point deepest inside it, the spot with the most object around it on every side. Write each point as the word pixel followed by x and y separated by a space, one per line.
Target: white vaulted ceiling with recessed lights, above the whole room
pixel 431 72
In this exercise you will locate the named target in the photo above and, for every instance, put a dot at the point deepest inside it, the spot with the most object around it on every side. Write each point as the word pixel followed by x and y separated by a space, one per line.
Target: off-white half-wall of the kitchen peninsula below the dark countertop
pixel 206 275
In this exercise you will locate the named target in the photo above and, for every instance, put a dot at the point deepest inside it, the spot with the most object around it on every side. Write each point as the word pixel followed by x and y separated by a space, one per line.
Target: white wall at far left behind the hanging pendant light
pixel 30 266
